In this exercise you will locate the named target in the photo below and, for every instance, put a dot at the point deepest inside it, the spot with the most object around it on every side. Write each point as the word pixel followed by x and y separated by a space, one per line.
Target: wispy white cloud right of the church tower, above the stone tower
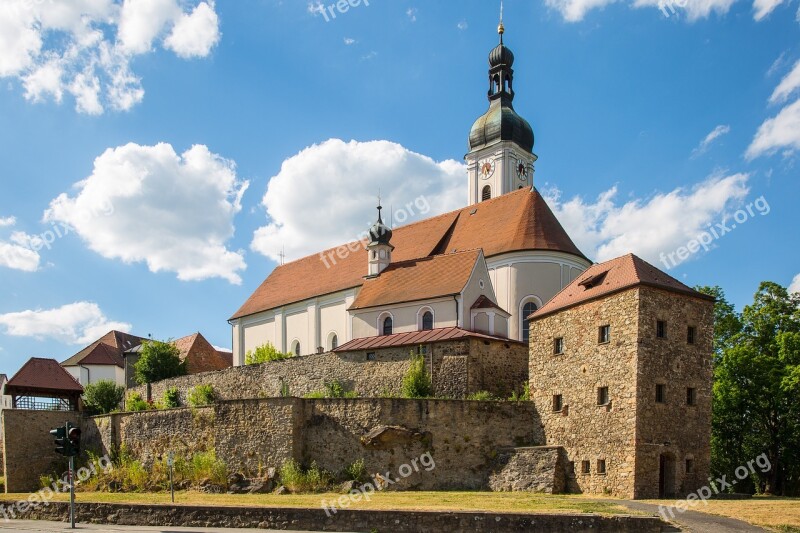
pixel 604 229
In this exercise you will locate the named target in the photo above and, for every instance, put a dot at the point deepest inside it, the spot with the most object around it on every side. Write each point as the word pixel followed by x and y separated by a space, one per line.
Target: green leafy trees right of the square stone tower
pixel 755 396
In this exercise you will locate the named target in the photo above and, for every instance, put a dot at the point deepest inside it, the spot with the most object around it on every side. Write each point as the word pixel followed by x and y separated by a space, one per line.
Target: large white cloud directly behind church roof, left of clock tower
pixel 326 195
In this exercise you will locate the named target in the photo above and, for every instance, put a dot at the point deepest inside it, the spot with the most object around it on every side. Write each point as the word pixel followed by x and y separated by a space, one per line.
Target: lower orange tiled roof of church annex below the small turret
pixel 418 279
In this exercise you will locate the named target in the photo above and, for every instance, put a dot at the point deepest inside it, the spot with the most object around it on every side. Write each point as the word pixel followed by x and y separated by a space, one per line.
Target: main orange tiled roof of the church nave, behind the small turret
pixel 520 220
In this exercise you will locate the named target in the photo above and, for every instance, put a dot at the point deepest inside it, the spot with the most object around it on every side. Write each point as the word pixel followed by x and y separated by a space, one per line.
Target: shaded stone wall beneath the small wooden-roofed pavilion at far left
pixel 29 450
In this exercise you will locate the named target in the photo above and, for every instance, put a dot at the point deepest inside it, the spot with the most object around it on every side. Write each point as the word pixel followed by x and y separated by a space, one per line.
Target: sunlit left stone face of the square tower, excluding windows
pixel 588 431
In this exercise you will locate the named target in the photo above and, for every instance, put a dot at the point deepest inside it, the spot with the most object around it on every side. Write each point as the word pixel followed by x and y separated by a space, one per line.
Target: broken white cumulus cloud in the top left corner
pixel 84 48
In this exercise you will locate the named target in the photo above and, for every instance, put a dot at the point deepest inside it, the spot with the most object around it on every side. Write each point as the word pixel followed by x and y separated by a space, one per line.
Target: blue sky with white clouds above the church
pixel 158 156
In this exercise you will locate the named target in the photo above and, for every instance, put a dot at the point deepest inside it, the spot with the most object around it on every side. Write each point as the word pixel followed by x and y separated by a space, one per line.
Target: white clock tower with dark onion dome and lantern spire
pixel 500 158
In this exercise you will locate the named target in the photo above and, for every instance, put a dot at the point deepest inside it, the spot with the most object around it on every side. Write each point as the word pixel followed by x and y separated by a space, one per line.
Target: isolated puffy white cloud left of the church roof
pixel 147 204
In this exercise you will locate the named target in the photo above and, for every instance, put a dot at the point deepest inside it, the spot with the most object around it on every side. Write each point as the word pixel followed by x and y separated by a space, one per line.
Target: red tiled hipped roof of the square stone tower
pixel 611 277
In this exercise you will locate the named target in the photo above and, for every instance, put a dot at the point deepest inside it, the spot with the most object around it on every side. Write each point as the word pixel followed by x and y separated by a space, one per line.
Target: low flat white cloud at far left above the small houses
pixel 76 323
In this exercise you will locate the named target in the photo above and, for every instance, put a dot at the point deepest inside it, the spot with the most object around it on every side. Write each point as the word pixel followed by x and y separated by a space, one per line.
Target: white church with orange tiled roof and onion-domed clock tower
pixel 483 268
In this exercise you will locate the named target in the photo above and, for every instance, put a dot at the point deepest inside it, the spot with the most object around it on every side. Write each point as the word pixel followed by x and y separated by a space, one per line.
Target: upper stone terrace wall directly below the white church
pixel 498 367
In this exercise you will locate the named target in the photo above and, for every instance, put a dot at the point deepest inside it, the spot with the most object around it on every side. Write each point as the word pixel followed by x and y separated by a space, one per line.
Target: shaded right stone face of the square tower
pixel 673 429
